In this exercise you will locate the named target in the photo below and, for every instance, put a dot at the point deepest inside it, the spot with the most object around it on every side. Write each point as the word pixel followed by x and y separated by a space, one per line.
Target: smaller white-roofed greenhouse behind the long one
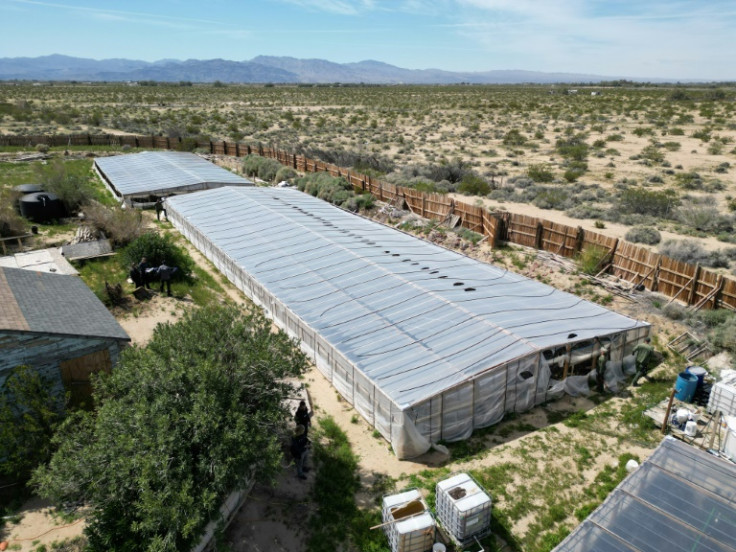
pixel 139 179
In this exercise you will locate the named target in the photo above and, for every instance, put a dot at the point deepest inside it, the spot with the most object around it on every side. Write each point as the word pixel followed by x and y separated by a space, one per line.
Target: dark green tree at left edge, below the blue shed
pixel 29 414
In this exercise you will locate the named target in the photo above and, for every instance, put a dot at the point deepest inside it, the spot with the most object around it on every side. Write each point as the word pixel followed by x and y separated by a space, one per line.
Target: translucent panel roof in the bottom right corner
pixel 681 499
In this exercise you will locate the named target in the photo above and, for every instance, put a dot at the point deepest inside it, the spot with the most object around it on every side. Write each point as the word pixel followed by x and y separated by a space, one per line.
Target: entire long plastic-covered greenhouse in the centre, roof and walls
pixel 425 343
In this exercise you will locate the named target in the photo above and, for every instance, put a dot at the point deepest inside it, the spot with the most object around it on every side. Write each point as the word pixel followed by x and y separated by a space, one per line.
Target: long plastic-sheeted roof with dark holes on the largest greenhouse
pixel 414 317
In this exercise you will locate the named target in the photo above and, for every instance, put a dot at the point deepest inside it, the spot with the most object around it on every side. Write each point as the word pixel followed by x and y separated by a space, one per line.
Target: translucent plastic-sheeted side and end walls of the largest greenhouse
pixel 452 415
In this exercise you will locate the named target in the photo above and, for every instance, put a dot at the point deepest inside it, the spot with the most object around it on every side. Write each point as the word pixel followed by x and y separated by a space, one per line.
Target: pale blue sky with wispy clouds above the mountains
pixel 672 39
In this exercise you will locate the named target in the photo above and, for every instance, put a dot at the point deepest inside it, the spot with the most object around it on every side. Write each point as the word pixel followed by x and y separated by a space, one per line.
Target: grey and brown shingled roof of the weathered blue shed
pixel 39 302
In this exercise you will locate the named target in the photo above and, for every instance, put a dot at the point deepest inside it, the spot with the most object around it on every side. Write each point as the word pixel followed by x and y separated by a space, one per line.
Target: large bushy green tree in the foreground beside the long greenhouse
pixel 180 424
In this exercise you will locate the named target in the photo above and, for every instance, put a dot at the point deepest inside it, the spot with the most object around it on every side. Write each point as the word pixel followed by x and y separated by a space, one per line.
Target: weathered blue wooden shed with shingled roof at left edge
pixel 54 323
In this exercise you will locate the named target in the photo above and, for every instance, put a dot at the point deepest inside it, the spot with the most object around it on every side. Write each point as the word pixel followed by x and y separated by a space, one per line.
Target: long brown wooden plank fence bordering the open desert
pixel 691 284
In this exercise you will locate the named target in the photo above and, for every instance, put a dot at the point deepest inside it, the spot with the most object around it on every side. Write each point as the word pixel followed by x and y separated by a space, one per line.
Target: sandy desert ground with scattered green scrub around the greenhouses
pixel 651 164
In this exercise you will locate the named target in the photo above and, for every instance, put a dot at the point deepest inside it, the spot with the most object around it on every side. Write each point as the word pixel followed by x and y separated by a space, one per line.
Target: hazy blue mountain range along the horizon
pixel 262 69
